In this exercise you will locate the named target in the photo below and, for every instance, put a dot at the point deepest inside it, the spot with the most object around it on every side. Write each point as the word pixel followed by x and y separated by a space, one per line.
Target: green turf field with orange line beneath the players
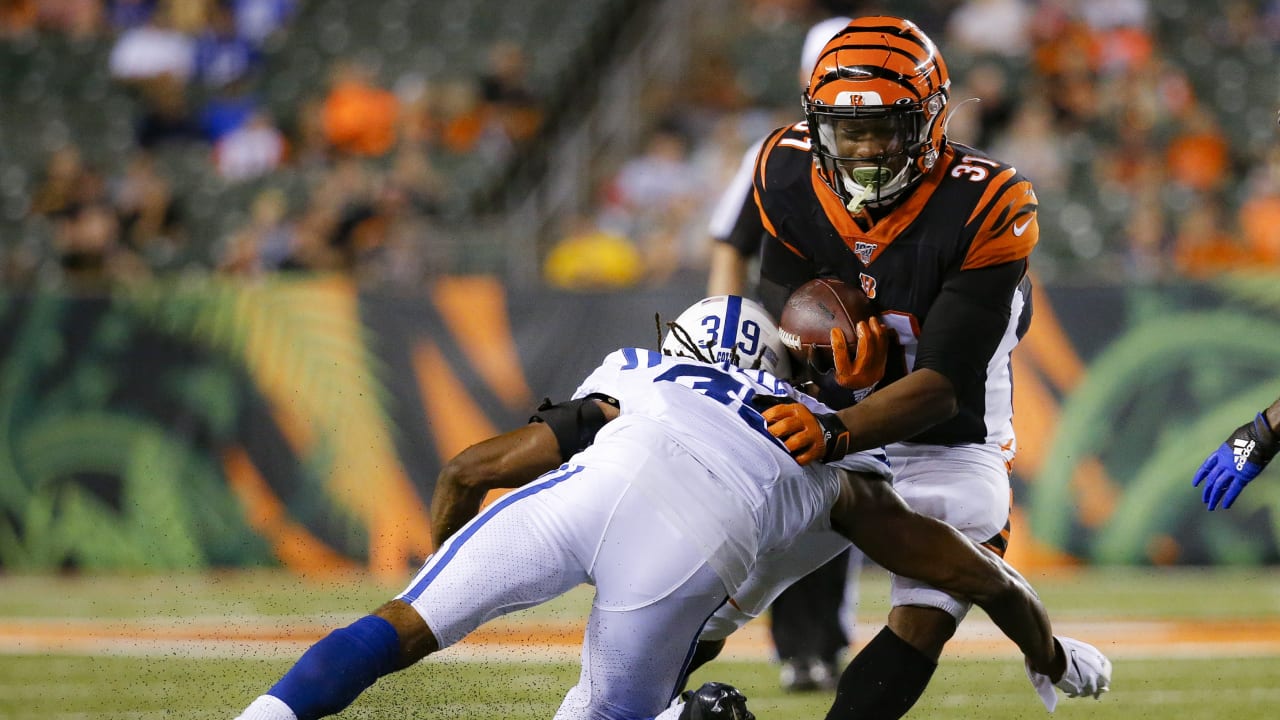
pixel 189 675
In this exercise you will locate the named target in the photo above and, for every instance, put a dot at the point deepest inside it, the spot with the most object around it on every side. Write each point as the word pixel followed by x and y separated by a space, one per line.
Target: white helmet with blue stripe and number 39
pixel 728 329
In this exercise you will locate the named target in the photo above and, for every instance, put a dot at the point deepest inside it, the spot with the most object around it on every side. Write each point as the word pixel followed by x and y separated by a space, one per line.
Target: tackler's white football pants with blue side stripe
pixel 653 589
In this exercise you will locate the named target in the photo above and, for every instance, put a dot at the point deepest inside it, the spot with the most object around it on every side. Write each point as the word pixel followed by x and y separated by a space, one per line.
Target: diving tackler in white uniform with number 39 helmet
pixel 665 513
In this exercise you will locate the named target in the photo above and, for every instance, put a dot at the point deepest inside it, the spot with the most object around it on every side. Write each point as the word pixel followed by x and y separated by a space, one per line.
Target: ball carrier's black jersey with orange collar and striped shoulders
pixel 947 267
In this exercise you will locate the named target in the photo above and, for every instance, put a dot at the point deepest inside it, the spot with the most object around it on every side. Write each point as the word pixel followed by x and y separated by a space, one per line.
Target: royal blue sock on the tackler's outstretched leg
pixel 337 669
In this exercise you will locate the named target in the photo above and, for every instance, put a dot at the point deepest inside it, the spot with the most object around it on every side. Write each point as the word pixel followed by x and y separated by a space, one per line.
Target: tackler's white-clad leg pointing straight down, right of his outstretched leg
pixel 655 593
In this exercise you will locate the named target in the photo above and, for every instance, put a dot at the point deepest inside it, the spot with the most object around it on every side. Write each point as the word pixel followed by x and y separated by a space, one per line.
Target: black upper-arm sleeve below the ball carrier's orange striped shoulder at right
pixel 967 323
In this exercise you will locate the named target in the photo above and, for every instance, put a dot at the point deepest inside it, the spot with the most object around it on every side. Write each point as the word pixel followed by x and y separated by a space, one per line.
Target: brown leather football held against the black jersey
pixel 817 307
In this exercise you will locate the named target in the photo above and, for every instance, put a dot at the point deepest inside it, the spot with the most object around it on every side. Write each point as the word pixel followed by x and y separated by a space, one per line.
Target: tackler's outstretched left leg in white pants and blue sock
pixel 508 558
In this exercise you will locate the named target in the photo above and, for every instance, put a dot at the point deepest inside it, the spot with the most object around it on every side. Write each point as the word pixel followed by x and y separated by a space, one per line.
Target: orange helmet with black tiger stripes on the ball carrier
pixel 876 107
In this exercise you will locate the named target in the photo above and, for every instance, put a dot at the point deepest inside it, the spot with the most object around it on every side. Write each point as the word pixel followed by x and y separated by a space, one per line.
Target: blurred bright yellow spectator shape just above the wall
pixel 593 258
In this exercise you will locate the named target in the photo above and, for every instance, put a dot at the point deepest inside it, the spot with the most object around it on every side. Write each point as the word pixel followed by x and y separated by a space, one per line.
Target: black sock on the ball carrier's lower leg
pixel 883 682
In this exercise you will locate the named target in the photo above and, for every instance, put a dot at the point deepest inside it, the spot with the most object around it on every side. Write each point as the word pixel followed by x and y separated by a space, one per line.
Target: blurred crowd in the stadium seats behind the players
pixel 246 138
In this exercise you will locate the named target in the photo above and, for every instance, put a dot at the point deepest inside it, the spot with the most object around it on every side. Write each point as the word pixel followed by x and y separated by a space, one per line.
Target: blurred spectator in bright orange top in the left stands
pixel 360 119
